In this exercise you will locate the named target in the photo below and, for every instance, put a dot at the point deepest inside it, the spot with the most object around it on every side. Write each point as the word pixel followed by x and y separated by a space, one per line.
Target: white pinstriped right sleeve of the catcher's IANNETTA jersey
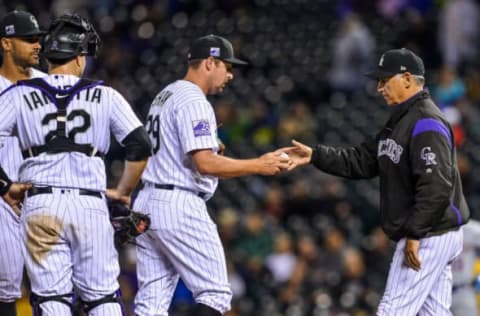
pixel 122 119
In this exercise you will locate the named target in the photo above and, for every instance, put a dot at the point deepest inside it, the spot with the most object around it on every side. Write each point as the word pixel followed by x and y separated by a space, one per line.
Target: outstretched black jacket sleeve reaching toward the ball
pixel 350 162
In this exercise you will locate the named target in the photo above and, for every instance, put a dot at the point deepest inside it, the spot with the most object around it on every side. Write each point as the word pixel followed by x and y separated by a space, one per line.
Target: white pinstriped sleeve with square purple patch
pixel 197 127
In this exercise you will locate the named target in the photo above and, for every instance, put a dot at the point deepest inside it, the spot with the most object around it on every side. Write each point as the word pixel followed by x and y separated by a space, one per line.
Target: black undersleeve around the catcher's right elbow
pixel 137 145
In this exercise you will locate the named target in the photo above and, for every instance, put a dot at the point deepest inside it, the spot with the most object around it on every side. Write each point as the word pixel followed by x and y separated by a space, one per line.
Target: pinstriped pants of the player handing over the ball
pixel 183 241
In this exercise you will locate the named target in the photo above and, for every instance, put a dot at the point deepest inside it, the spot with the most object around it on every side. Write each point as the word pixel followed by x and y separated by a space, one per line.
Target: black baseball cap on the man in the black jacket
pixel 397 61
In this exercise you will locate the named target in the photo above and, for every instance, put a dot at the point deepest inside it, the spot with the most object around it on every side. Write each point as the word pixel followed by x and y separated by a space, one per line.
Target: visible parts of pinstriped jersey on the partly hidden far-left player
pixel 10 154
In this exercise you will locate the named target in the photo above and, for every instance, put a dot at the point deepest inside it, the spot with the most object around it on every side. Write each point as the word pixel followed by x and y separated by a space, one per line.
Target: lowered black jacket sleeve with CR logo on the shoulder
pixel 431 158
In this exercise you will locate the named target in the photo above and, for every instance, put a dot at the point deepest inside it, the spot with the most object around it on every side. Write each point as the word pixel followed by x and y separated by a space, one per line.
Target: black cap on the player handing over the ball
pixel 215 46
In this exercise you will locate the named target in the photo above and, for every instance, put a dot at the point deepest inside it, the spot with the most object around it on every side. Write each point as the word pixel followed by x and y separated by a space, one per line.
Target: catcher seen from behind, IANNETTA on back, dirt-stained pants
pixel 64 125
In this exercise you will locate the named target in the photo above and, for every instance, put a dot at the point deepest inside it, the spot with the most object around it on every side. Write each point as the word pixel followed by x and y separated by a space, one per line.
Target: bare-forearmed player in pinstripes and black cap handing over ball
pixel 181 175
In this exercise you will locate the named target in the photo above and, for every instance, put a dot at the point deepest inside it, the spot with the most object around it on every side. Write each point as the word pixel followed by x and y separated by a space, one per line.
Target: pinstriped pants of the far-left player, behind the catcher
pixel 11 259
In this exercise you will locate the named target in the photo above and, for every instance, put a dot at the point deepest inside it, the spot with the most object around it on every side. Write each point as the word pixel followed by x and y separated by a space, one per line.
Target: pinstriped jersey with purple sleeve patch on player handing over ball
pixel 180 120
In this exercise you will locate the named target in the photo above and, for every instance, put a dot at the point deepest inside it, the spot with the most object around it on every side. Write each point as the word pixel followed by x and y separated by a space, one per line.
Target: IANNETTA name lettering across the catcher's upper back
pixel 37 98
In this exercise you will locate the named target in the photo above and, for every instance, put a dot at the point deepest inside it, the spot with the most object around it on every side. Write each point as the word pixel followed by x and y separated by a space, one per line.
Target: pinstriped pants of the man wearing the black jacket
pixel 428 291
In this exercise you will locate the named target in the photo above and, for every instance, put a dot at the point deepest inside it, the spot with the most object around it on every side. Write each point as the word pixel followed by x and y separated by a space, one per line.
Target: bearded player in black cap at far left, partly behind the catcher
pixel 20 42
